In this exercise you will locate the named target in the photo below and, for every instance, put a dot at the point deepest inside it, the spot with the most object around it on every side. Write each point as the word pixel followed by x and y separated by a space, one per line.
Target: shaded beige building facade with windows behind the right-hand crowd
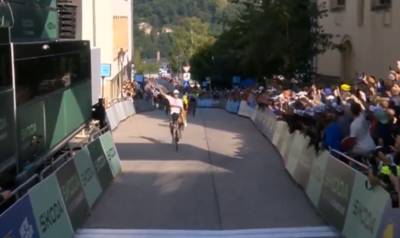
pixel 367 34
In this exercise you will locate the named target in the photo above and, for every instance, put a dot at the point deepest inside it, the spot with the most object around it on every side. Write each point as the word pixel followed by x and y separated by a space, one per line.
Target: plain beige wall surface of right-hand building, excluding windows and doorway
pixel 375 43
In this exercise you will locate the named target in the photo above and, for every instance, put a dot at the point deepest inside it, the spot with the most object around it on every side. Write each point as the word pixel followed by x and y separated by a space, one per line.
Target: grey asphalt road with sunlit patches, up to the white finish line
pixel 225 176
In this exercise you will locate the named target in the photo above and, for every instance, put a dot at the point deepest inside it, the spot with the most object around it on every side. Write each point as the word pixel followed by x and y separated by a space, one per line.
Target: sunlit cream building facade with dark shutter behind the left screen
pixel 108 25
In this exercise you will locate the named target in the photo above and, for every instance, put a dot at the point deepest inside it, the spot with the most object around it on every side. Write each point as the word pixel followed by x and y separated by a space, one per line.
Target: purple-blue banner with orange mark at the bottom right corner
pixel 390 222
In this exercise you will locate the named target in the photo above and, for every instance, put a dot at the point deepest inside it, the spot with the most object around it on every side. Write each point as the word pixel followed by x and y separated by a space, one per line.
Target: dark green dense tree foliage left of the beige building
pixel 269 37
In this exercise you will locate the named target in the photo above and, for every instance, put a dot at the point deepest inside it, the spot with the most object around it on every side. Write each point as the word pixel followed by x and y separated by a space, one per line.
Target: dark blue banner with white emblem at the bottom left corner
pixel 18 221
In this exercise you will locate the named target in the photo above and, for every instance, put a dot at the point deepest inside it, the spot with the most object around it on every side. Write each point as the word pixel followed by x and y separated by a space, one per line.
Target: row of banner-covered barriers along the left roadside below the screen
pixel 60 203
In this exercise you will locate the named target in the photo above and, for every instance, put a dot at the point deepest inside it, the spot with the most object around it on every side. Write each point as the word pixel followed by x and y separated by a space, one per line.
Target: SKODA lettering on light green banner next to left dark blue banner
pixel 50 216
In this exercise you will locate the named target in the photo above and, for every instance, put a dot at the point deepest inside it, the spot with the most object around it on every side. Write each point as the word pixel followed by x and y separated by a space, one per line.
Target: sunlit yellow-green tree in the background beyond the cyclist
pixel 191 36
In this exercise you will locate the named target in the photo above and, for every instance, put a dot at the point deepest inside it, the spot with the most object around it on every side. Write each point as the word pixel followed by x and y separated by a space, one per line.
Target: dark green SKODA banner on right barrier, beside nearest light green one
pixel 336 193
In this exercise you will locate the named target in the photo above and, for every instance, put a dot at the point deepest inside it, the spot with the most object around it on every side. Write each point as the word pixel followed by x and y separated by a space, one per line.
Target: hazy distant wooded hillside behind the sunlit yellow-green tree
pixel 169 13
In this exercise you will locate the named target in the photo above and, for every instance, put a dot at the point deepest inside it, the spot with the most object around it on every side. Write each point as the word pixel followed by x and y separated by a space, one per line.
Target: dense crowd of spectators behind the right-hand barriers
pixel 361 120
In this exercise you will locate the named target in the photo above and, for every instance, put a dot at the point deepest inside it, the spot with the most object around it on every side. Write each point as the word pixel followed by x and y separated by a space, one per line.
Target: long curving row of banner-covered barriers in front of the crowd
pixel 336 190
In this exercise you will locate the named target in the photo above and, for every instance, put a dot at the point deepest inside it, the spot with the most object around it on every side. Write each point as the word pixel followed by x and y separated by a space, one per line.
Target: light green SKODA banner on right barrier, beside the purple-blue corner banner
pixel 365 210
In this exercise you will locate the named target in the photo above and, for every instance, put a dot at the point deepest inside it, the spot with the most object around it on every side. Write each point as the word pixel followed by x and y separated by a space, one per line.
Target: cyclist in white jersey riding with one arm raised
pixel 176 109
